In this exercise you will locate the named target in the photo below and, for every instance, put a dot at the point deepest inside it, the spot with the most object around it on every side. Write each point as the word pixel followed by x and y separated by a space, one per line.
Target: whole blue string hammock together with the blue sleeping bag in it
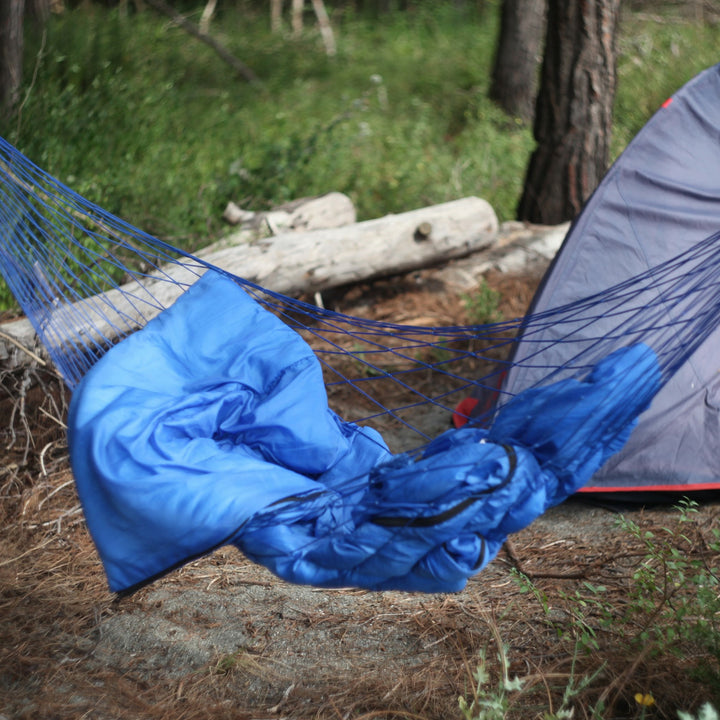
pixel 205 408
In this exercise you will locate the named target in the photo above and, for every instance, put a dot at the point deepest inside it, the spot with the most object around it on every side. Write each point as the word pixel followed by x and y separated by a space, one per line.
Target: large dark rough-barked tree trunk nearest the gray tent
pixel 573 117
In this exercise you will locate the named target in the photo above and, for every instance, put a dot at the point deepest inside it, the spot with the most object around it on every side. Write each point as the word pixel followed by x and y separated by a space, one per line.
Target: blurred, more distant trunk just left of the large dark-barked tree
pixel 517 56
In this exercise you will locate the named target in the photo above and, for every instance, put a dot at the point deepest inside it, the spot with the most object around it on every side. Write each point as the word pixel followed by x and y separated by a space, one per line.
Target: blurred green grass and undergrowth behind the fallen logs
pixel 150 124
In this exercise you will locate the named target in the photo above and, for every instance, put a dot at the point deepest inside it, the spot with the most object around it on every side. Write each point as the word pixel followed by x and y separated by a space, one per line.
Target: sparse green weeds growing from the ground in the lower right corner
pixel 663 614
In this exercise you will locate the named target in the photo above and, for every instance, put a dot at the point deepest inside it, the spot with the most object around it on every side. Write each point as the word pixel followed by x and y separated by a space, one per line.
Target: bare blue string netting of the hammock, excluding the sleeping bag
pixel 86 279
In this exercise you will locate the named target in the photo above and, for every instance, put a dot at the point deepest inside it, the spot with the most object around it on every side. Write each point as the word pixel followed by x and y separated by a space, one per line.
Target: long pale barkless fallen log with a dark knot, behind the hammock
pixel 292 264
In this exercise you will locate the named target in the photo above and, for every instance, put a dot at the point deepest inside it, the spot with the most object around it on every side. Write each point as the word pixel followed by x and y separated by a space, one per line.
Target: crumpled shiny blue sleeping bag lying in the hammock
pixel 210 426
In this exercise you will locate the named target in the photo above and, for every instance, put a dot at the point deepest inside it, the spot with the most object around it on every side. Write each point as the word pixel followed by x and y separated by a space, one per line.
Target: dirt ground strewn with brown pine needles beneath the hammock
pixel 223 638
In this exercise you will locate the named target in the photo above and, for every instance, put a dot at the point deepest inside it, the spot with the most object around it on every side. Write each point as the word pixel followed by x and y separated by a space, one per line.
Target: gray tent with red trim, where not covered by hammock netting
pixel 660 198
